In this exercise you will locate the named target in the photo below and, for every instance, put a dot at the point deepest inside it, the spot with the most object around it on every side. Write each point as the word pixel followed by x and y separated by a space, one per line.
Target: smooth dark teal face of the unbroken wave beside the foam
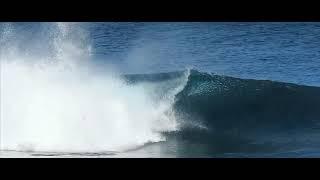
pixel 227 102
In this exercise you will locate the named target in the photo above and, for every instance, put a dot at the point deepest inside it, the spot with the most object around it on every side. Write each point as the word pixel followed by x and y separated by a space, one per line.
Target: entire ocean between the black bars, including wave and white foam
pixel 160 89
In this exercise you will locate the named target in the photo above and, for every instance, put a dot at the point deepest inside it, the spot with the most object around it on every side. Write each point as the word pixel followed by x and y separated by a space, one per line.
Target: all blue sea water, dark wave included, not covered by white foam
pixel 246 116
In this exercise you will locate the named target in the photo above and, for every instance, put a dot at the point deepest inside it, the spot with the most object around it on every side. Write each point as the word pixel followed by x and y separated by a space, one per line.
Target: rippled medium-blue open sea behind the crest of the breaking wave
pixel 280 51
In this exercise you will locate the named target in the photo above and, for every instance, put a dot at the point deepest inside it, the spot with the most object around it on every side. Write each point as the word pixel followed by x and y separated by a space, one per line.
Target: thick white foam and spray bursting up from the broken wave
pixel 58 103
